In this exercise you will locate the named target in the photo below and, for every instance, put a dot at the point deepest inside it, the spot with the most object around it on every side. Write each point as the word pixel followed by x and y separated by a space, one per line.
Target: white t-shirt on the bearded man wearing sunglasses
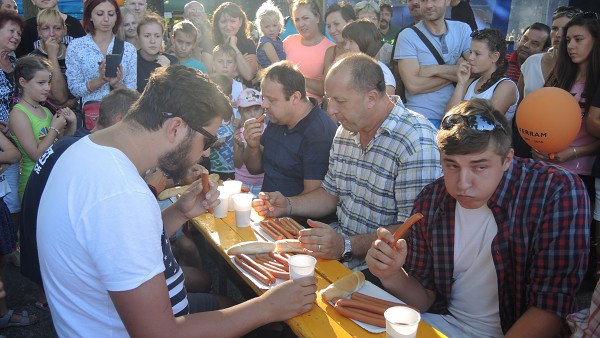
pixel 99 229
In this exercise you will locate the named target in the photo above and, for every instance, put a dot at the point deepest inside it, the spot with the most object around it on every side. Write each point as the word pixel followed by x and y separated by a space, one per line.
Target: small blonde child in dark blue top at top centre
pixel 270 47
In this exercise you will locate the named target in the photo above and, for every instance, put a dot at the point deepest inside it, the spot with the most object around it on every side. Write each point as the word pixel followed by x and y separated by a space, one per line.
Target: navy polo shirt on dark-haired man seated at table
pixel 291 156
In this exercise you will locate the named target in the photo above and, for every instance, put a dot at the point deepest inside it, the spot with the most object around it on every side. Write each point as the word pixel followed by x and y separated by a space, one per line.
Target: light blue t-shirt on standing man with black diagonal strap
pixel 409 46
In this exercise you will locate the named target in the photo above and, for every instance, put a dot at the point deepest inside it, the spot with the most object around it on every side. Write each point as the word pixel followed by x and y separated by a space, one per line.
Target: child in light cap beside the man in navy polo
pixel 249 105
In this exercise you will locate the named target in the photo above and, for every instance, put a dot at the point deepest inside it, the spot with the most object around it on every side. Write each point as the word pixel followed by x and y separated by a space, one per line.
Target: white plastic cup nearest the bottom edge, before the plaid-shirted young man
pixel 401 322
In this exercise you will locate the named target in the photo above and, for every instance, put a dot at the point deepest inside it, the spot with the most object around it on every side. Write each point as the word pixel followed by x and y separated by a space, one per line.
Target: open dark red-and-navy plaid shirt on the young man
pixel 540 251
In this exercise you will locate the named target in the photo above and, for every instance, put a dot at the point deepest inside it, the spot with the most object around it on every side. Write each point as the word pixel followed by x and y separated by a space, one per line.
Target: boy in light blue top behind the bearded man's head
pixel 184 40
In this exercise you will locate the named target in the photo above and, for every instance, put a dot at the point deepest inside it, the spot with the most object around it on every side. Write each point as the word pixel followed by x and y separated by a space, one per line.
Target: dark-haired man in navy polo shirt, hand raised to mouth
pixel 293 151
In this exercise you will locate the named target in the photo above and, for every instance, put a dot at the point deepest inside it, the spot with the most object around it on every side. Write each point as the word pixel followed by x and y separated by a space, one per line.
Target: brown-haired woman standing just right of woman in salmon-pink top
pixel 336 17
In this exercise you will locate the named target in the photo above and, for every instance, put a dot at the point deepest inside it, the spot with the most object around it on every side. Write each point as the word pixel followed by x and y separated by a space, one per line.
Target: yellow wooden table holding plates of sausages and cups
pixel 322 320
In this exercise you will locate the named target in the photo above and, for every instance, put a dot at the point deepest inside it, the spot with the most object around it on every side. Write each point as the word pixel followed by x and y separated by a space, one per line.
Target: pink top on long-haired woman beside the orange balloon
pixel 581 165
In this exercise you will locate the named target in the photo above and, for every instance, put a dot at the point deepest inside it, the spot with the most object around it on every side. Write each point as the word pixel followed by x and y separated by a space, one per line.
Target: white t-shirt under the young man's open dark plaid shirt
pixel 474 299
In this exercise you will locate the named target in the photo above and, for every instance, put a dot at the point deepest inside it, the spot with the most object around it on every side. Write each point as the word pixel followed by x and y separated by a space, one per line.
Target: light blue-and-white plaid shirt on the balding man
pixel 377 186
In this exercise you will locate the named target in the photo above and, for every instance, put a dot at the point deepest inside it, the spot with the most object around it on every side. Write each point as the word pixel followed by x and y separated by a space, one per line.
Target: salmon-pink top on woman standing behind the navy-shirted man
pixel 309 59
